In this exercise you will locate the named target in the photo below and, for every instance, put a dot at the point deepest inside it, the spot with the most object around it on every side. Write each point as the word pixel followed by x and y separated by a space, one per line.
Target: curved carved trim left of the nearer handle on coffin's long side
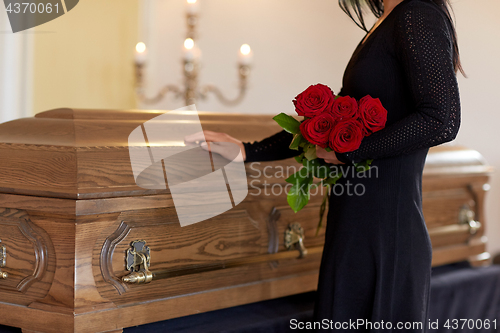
pixel 106 257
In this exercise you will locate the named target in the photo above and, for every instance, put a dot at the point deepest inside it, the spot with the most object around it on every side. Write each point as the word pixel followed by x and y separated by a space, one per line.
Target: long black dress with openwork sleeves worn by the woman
pixel 376 261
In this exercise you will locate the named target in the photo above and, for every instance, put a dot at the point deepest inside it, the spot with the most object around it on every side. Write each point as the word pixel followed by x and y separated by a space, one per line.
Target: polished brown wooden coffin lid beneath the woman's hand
pixel 83 154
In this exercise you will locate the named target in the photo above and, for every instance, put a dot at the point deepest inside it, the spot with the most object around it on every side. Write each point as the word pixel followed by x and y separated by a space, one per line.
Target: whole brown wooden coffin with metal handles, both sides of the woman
pixel 72 219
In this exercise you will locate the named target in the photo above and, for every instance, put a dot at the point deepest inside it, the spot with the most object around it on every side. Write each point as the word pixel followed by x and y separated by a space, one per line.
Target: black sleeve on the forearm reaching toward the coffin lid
pixel 272 148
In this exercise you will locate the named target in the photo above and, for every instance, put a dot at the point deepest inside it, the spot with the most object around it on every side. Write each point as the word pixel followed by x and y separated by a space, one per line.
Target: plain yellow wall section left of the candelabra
pixel 84 59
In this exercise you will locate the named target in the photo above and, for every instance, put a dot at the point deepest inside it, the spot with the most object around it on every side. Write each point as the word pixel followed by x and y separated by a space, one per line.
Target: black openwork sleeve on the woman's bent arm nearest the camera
pixel 425 50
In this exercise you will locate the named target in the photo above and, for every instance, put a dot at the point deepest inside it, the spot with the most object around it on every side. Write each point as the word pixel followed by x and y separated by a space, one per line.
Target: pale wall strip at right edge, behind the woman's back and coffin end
pixel 478 29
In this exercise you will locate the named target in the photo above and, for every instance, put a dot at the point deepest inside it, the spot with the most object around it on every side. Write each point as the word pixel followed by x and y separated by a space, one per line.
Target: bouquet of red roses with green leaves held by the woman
pixel 335 123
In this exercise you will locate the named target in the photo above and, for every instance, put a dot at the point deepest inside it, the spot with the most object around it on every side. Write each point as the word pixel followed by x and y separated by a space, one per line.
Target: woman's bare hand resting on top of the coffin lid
pixel 215 143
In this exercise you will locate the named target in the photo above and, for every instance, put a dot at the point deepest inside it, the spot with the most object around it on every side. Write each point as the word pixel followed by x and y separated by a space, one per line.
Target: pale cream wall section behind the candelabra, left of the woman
pixel 295 43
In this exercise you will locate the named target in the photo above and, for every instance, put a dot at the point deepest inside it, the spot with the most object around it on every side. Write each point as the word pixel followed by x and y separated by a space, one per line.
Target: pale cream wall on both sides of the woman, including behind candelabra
pixel 299 42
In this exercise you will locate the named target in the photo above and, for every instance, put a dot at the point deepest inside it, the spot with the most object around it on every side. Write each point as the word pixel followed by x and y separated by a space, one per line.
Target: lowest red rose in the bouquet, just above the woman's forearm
pixel 346 136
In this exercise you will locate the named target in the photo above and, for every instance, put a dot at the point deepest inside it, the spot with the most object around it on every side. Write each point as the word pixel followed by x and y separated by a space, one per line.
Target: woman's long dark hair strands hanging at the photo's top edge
pixel 377 8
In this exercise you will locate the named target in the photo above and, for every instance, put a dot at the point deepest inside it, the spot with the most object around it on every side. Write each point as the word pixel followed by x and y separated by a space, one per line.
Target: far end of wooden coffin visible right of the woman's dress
pixel 454 184
